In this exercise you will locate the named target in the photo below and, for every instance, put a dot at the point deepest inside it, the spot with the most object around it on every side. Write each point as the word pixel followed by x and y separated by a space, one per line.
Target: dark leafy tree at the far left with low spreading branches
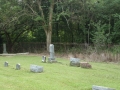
pixel 10 22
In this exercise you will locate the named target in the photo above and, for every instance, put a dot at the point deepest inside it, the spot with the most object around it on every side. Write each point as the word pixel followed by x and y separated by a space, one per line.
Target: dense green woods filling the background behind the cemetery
pixel 95 22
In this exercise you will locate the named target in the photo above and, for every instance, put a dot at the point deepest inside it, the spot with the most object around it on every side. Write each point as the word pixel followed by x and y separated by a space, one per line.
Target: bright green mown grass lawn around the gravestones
pixel 56 76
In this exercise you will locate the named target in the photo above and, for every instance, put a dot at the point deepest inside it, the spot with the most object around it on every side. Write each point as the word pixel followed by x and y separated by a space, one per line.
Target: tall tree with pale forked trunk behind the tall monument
pixel 42 11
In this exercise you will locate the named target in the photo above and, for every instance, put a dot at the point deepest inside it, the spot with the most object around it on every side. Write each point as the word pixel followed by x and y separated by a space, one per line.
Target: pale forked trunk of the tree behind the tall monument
pixel 47 26
